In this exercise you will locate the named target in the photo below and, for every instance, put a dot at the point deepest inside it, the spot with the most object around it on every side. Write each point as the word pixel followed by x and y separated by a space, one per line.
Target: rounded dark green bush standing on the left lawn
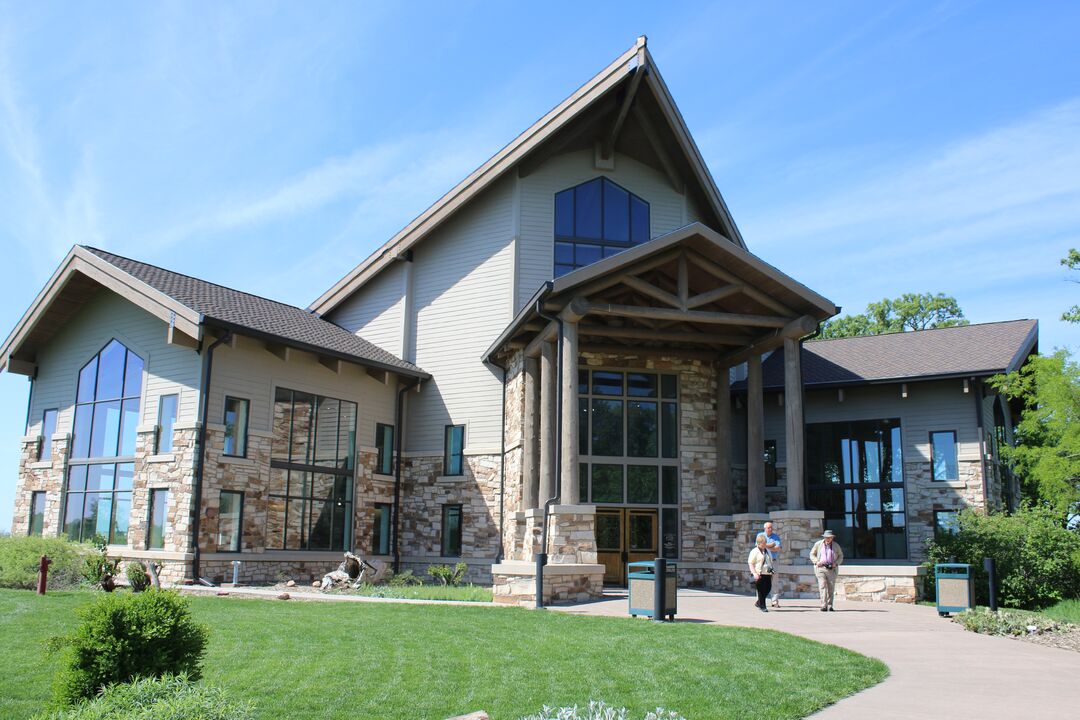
pixel 128 636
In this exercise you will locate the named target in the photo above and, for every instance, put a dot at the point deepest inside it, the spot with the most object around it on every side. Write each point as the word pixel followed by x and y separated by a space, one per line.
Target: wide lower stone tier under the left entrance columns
pixel 515 583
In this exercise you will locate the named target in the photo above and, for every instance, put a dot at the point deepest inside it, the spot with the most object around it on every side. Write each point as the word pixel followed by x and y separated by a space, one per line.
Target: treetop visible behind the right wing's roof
pixel 912 311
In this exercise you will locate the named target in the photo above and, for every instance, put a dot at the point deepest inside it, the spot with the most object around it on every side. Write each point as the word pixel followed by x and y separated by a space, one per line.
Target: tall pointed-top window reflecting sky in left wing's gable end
pixel 103 446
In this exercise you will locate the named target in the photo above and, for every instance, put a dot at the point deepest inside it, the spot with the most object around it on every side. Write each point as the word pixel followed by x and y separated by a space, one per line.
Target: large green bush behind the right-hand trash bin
pixel 1038 559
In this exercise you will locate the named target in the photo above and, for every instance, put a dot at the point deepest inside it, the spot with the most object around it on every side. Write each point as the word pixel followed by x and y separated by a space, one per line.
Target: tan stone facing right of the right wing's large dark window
pixel 925 496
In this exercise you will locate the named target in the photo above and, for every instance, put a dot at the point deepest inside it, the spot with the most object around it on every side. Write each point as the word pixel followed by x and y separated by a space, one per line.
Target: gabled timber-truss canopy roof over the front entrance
pixel 690 292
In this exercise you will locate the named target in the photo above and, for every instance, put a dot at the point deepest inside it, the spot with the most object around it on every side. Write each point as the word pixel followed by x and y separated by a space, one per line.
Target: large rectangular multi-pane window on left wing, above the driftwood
pixel 312 469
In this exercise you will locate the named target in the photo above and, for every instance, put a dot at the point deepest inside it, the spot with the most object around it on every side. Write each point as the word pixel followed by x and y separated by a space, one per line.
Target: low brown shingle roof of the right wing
pixel 967 351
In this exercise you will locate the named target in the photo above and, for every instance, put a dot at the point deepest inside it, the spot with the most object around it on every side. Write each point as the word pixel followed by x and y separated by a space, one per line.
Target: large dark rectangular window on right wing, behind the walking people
pixel 856 477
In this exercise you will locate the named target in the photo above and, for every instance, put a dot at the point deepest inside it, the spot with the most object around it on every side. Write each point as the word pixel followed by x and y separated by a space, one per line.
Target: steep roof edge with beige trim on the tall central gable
pixel 616 77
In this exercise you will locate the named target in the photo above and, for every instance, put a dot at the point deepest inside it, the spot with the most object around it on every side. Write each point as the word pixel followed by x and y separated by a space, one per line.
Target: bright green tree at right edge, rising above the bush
pixel 1048 449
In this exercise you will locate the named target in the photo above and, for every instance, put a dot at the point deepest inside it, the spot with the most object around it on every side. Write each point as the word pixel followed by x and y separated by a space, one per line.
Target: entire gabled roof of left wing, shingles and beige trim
pixel 187 305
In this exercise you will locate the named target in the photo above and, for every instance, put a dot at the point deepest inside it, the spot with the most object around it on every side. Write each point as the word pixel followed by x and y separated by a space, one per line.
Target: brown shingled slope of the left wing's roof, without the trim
pixel 244 311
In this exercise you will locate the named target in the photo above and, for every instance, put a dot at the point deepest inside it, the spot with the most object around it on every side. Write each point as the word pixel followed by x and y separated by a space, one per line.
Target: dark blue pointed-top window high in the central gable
pixel 596 221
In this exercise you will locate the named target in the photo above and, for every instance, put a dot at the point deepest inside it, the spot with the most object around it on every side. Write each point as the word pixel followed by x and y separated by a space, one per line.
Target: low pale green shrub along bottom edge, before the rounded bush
pixel 169 698
